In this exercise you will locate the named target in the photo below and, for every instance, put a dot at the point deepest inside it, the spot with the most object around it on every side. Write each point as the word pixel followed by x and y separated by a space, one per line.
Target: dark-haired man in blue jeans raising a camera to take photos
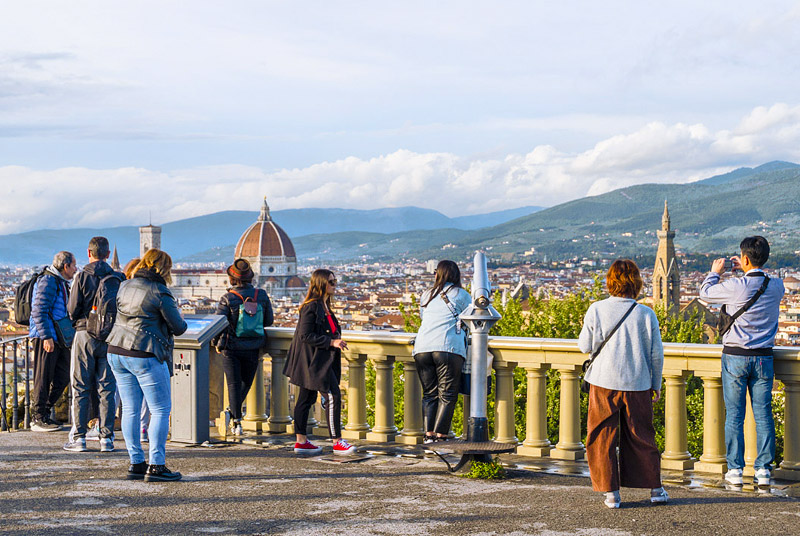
pixel 747 354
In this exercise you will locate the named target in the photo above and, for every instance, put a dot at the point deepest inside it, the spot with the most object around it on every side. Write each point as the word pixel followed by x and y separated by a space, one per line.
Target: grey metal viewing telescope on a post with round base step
pixel 480 316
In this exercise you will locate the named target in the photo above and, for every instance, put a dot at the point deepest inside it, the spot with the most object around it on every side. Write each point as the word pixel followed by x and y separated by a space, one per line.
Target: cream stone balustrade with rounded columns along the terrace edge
pixel 536 356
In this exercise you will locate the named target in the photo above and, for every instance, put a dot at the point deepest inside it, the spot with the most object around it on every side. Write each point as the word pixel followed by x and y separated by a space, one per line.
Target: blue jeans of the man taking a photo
pixel 755 374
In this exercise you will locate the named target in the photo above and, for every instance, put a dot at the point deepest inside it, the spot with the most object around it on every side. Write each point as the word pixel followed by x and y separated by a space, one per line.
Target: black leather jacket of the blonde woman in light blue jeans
pixel 147 316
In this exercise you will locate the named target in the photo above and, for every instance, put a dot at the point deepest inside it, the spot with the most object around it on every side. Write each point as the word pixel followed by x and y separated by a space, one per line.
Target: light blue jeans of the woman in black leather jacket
pixel 145 378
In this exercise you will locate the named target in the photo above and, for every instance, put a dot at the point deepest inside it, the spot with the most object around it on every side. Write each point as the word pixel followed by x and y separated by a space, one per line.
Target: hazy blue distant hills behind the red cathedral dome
pixel 204 238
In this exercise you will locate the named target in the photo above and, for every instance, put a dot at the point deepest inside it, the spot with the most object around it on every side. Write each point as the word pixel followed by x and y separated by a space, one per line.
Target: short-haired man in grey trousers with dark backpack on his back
pixel 92 307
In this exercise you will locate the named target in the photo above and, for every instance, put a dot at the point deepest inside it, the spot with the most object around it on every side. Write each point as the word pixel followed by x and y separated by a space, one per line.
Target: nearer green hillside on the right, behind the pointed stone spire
pixel 711 215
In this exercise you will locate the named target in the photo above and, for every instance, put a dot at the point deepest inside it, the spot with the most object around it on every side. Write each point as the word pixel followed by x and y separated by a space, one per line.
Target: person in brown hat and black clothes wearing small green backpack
pixel 240 353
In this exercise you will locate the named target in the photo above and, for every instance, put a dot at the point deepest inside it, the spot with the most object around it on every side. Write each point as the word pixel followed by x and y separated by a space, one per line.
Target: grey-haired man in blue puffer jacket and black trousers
pixel 51 337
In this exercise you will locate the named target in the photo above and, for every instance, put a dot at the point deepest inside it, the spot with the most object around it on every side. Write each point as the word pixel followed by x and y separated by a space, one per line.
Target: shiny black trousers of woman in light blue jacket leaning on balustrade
pixel 440 375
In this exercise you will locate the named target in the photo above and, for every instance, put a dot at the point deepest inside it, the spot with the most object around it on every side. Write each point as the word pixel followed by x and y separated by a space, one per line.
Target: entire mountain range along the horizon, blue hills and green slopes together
pixel 709 216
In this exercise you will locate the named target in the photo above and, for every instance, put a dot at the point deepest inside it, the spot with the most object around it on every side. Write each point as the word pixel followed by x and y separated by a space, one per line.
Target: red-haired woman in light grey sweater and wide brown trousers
pixel 625 380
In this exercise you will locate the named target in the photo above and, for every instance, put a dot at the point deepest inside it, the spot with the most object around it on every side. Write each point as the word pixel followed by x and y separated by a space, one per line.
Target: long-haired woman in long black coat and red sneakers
pixel 314 363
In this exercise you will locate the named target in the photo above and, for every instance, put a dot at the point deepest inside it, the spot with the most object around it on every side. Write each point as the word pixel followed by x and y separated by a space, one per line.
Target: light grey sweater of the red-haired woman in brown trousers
pixel 633 358
